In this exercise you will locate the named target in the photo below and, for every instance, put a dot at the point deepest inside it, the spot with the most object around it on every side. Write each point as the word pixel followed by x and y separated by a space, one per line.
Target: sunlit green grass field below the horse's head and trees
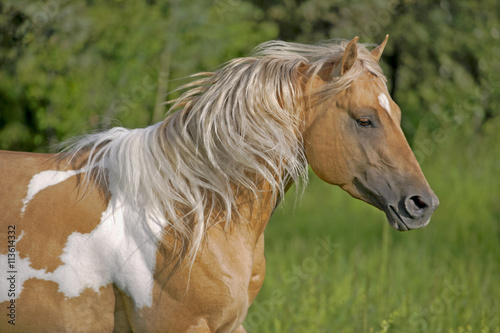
pixel 335 265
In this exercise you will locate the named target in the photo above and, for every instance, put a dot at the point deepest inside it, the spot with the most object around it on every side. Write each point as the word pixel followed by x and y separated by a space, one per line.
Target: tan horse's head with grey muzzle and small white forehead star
pixel 353 138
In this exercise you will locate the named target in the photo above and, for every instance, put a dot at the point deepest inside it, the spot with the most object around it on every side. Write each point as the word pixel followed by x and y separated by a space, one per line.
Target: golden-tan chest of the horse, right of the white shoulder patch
pixel 214 293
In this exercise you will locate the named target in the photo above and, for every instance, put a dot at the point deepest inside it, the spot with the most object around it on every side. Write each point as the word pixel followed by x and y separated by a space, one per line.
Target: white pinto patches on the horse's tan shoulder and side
pixel 120 250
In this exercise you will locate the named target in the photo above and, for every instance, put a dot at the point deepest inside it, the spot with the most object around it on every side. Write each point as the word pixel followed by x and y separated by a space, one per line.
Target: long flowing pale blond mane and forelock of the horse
pixel 233 129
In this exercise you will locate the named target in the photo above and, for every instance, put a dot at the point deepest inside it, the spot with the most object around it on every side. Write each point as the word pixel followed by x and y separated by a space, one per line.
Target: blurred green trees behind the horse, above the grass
pixel 73 67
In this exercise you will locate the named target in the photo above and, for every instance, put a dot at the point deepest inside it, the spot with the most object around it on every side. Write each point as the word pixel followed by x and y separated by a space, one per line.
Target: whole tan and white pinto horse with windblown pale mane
pixel 161 229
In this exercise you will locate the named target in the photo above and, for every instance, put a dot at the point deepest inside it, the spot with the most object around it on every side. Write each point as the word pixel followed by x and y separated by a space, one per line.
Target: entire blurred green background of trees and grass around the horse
pixel 334 265
